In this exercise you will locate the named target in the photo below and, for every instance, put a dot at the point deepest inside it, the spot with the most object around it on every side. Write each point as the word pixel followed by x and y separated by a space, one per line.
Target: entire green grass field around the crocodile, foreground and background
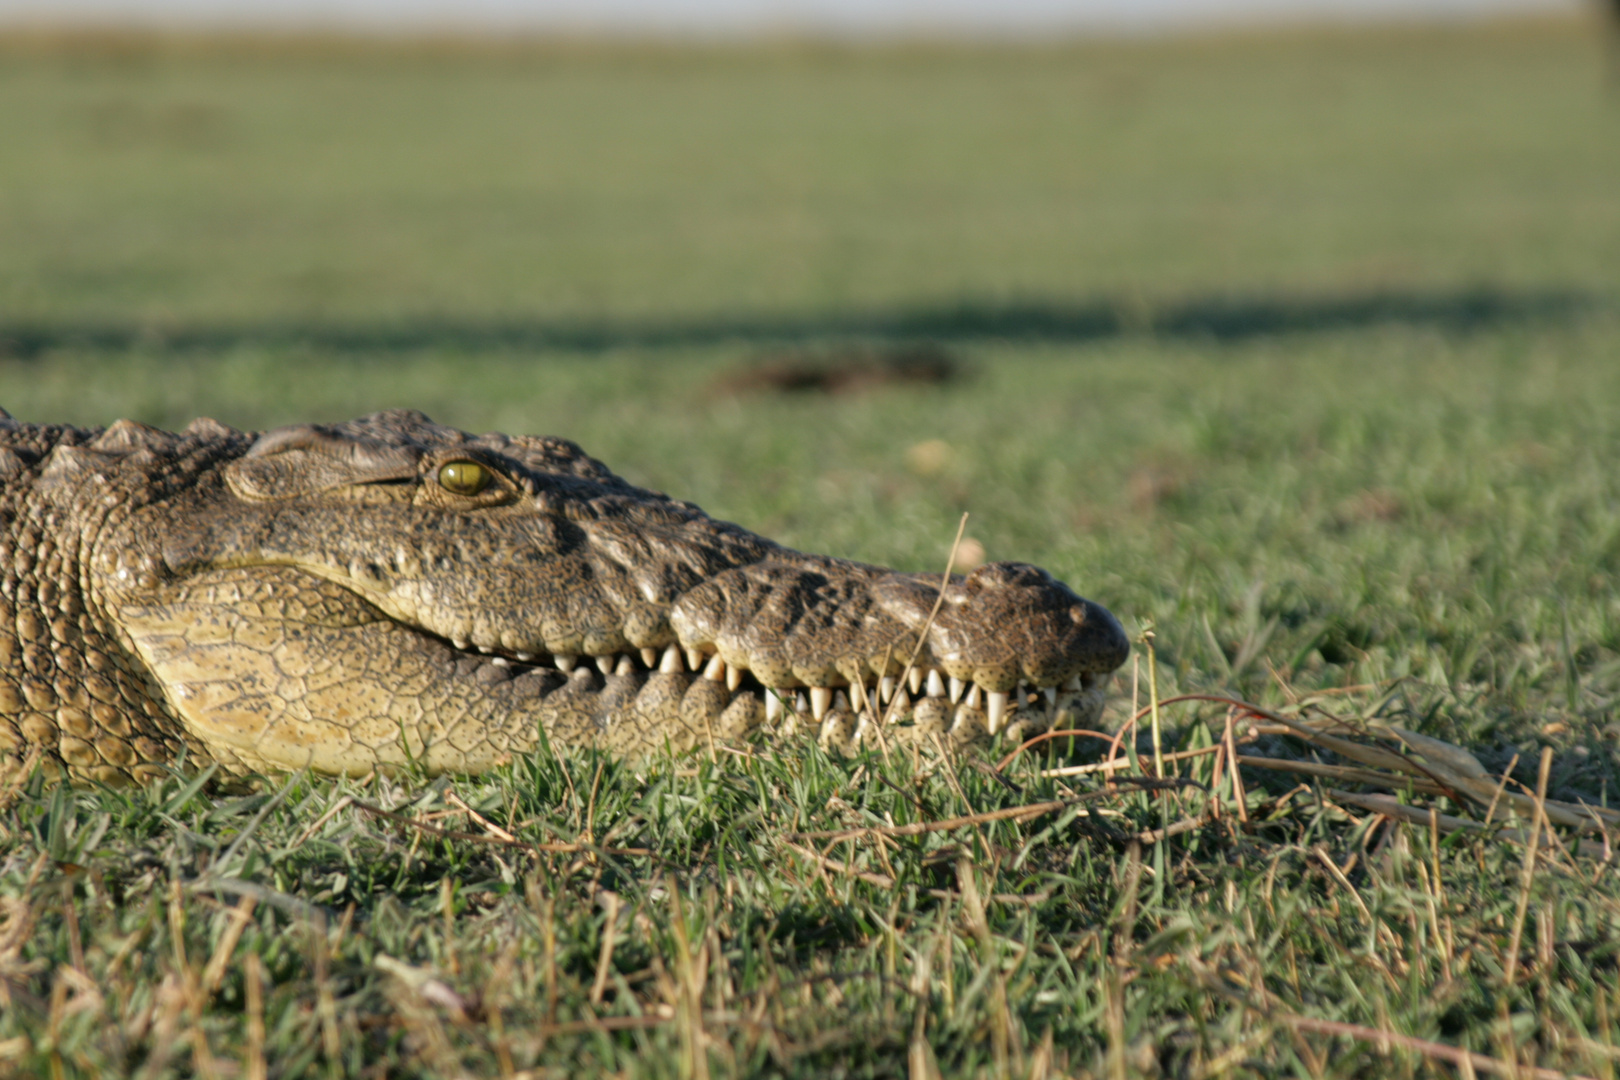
pixel 1303 351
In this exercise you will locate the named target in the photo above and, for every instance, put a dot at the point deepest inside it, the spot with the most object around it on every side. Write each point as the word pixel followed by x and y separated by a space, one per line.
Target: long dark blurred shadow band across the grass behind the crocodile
pixel 1216 318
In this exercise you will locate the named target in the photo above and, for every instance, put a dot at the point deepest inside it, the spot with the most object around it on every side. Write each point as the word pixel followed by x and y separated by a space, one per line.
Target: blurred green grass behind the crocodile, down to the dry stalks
pixel 1300 344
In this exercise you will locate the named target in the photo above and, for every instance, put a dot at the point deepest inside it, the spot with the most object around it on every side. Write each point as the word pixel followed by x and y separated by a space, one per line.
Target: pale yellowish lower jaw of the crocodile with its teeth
pixel 276 668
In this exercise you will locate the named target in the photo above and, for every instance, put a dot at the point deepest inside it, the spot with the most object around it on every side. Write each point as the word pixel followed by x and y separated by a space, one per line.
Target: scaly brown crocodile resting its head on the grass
pixel 390 593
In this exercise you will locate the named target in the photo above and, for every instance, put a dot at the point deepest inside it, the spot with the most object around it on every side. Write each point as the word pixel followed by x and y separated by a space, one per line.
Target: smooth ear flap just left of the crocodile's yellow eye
pixel 301 461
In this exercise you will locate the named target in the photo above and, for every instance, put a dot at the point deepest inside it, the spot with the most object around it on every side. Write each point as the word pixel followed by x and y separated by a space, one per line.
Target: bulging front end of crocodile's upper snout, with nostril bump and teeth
pixel 1002 634
